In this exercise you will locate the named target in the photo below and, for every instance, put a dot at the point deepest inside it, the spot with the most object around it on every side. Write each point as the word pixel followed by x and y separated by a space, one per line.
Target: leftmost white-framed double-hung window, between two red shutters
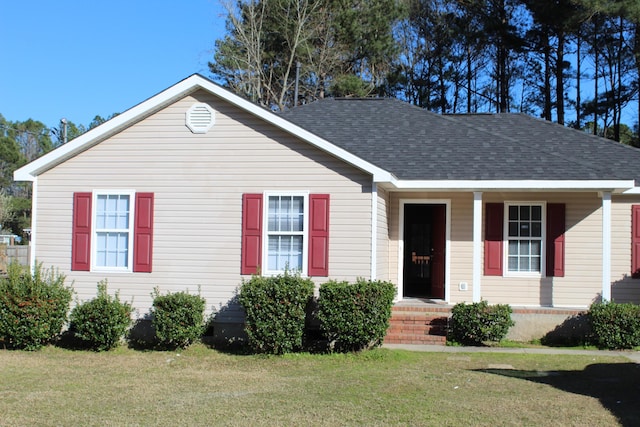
pixel 113 228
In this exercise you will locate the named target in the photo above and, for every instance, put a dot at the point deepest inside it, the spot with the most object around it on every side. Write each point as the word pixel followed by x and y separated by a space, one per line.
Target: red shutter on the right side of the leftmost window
pixel 143 233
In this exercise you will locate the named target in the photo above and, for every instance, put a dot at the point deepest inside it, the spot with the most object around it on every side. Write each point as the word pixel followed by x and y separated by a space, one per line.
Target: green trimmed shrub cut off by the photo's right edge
pixel 614 325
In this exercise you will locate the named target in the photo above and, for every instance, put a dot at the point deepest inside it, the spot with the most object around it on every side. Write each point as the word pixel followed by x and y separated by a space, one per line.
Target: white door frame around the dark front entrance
pixel 447 245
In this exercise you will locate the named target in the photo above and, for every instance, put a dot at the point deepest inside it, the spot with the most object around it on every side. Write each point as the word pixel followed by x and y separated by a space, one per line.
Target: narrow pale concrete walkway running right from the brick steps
pixel 631 355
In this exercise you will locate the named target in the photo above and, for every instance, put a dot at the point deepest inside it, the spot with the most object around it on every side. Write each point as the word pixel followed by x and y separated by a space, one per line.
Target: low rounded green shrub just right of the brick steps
pixel 474 324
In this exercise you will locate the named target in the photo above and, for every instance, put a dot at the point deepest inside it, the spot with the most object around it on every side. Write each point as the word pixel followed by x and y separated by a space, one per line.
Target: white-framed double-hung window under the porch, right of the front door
pixel 524 231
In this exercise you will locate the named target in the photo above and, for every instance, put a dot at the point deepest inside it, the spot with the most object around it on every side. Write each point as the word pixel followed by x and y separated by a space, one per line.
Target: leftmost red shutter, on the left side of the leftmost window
pixel 81 232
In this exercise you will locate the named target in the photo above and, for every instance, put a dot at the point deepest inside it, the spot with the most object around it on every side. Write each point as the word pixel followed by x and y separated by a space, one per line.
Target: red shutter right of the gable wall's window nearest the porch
pixel 319 235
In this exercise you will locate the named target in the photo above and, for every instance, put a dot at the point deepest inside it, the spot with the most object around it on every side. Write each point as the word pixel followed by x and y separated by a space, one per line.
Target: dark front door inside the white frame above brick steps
pixel 424 250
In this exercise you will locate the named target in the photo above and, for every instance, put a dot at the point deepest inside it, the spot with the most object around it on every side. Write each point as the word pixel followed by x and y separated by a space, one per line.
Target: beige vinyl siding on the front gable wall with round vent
pixel 198 181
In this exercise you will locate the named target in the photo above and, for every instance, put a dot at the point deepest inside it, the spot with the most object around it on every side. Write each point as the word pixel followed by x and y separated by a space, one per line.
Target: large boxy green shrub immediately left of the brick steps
pixel 356 316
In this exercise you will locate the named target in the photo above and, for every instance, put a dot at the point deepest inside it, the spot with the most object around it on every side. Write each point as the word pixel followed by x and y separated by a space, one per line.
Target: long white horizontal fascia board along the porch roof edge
pixel 539 185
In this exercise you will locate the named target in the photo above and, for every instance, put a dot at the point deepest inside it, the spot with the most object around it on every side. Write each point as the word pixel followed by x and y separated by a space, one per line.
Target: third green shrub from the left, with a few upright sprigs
pixel 178 319
